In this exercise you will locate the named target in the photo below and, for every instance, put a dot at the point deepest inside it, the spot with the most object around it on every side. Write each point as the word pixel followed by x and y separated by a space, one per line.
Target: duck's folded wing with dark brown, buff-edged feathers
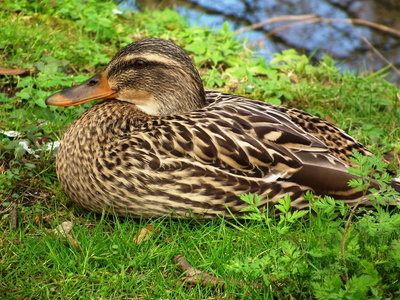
pixel 237 145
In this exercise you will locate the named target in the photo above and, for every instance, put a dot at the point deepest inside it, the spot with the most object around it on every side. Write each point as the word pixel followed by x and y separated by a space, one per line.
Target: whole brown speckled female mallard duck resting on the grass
pixel 160 144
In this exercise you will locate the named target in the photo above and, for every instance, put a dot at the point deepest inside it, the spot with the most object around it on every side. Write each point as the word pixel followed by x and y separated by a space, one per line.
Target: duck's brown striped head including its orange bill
pixel 153 74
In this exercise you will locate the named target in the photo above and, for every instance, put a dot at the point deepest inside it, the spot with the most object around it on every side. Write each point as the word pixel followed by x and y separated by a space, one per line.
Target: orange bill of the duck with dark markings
pixel 95 88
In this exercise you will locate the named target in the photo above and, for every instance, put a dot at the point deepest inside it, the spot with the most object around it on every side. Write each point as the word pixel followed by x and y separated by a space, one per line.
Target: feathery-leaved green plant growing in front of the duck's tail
pixel 316 253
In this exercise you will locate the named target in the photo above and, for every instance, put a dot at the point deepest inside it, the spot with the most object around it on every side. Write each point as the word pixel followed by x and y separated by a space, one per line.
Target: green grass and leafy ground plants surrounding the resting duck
pixel 326 252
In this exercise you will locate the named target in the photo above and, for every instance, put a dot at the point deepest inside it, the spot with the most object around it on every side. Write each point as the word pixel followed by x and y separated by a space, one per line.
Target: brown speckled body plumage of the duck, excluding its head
pixel 197 162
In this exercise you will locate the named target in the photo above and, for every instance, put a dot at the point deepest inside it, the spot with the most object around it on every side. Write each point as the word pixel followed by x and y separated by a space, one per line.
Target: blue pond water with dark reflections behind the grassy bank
pixel 368 44
